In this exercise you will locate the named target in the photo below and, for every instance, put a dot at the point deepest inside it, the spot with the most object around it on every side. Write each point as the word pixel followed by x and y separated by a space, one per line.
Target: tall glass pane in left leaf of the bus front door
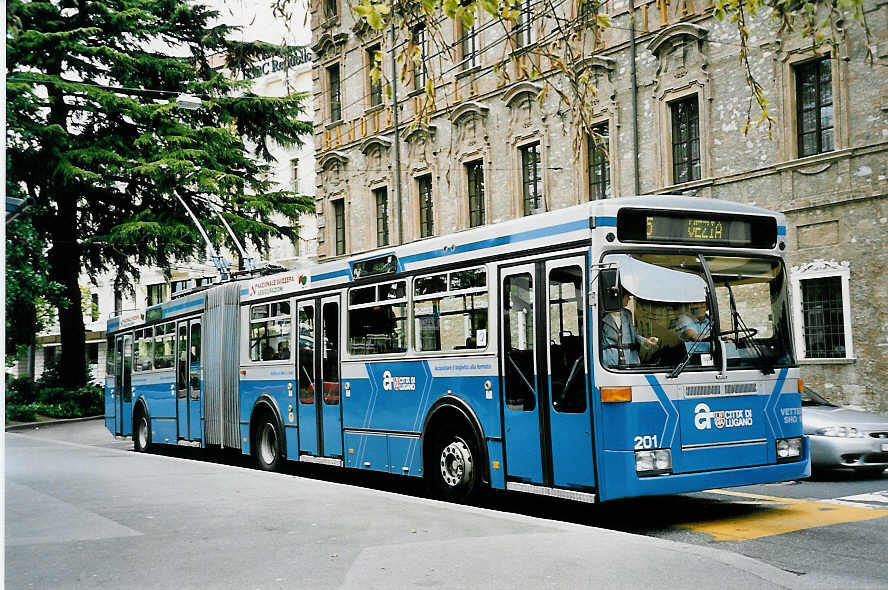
pixel 518 342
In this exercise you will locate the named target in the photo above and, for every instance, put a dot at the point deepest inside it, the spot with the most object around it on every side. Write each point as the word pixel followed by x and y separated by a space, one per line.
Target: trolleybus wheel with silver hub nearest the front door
pixel 453 468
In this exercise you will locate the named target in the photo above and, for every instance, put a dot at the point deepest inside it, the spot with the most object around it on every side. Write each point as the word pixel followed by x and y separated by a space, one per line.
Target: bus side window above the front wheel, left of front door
pixel 451 314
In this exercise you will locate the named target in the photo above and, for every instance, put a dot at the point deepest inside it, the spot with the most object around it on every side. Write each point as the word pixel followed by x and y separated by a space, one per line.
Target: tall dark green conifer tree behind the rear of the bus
pixel 96 142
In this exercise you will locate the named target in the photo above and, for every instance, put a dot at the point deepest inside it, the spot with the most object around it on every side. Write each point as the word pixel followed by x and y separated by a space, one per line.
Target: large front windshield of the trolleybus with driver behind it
pixel 666 320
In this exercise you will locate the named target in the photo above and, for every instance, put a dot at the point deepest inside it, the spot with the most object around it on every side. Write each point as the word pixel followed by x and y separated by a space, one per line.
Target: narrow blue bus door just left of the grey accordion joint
pixel 188 379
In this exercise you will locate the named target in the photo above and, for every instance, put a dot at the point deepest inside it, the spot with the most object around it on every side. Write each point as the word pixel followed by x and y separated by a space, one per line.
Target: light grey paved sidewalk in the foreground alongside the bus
pixel 83 510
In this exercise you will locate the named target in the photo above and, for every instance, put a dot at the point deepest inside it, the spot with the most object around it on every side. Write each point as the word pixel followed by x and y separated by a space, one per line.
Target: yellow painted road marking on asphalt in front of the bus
pixel 778 516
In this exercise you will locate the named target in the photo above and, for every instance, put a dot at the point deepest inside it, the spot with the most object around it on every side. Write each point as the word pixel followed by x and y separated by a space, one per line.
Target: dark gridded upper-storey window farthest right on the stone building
pixel 814 105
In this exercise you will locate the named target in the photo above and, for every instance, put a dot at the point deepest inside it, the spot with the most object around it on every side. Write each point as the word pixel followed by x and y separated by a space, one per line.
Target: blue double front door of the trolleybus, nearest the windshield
pixel 548 424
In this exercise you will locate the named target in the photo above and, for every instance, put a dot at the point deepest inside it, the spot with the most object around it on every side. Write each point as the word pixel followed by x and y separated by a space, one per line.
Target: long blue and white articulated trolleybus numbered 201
pixel 618 348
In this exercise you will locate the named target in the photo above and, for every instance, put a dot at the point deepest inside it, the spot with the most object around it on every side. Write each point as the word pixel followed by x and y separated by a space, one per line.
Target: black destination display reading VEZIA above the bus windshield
pixel 711 230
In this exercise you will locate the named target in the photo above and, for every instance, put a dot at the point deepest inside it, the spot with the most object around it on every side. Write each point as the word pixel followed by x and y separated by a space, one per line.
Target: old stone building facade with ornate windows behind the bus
pixel 495 151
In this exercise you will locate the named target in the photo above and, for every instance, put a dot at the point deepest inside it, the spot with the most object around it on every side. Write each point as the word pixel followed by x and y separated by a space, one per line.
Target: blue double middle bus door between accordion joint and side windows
pixel 317 365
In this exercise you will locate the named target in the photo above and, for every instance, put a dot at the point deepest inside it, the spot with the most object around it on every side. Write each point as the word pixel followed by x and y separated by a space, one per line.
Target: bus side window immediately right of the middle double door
pixel 378 326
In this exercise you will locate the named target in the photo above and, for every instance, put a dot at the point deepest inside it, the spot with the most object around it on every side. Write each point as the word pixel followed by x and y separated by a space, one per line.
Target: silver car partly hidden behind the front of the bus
pixel 844 438
